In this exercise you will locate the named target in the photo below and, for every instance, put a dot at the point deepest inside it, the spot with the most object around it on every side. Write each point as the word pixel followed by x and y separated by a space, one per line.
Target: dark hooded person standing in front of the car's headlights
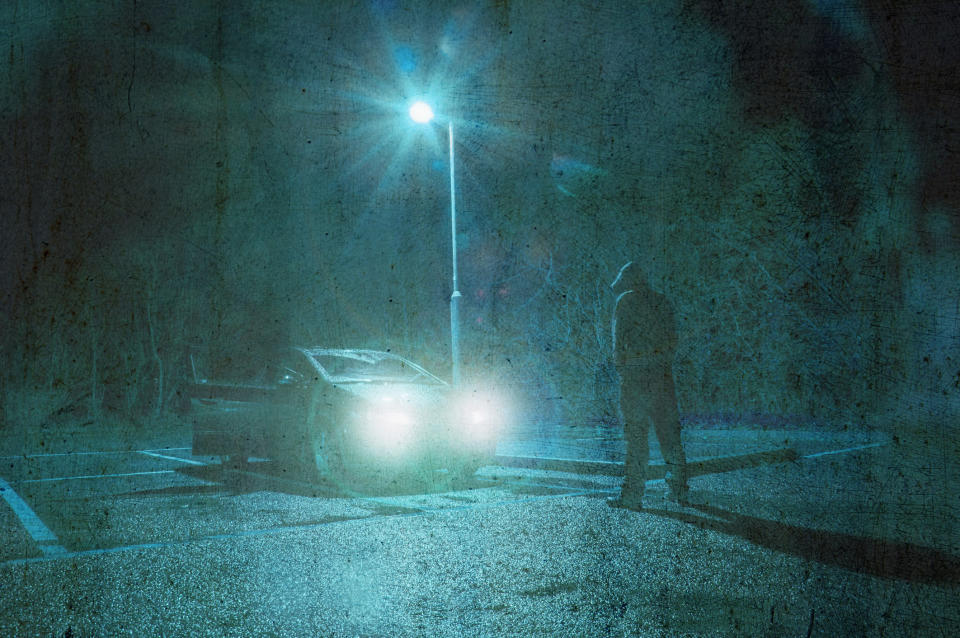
pixel 644 344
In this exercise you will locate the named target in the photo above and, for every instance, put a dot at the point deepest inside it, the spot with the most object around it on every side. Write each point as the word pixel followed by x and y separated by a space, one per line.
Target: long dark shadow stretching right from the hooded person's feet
pixel 882 558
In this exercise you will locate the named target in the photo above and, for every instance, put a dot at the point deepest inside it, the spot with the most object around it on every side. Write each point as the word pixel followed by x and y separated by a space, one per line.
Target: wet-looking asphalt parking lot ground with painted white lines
pixel 791 533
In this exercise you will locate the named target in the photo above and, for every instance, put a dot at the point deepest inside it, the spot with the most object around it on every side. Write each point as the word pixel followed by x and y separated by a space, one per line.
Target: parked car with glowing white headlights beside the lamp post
pixel 345 414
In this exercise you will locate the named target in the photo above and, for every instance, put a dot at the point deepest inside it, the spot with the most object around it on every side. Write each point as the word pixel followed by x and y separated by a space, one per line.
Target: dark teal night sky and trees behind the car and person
pixel 226 177
